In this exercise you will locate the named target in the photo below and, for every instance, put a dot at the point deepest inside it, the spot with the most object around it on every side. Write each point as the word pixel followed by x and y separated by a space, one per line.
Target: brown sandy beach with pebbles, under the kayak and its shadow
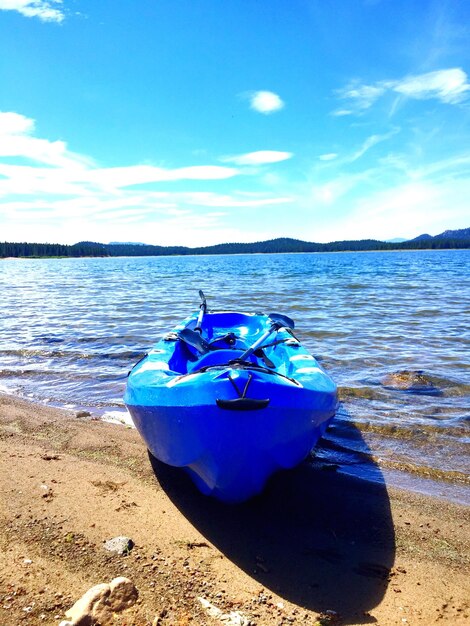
pixel 315 548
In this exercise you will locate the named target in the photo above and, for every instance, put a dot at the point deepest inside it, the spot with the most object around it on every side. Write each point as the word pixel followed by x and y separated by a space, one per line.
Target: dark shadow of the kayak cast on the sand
pixel 316 537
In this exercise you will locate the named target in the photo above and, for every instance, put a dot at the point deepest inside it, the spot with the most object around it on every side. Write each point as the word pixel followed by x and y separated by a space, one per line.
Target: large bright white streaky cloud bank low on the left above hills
pixel 45 186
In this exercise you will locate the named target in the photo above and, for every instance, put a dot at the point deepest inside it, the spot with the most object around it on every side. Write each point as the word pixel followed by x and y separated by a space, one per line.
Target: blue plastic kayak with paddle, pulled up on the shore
pixel 232 397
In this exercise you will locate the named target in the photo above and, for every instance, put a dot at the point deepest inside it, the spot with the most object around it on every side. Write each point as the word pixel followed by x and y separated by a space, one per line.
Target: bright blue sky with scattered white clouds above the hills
pixel 196 122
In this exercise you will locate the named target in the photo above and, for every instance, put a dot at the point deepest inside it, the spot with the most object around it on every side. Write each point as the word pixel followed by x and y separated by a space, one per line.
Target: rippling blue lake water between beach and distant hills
pixel 391 328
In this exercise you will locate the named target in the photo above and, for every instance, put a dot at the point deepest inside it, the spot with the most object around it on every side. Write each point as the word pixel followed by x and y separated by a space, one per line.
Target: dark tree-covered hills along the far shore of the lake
pixel 448 239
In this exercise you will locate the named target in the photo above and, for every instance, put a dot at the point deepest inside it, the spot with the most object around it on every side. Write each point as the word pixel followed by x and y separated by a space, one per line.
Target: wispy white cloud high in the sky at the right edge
pixel 449 86
